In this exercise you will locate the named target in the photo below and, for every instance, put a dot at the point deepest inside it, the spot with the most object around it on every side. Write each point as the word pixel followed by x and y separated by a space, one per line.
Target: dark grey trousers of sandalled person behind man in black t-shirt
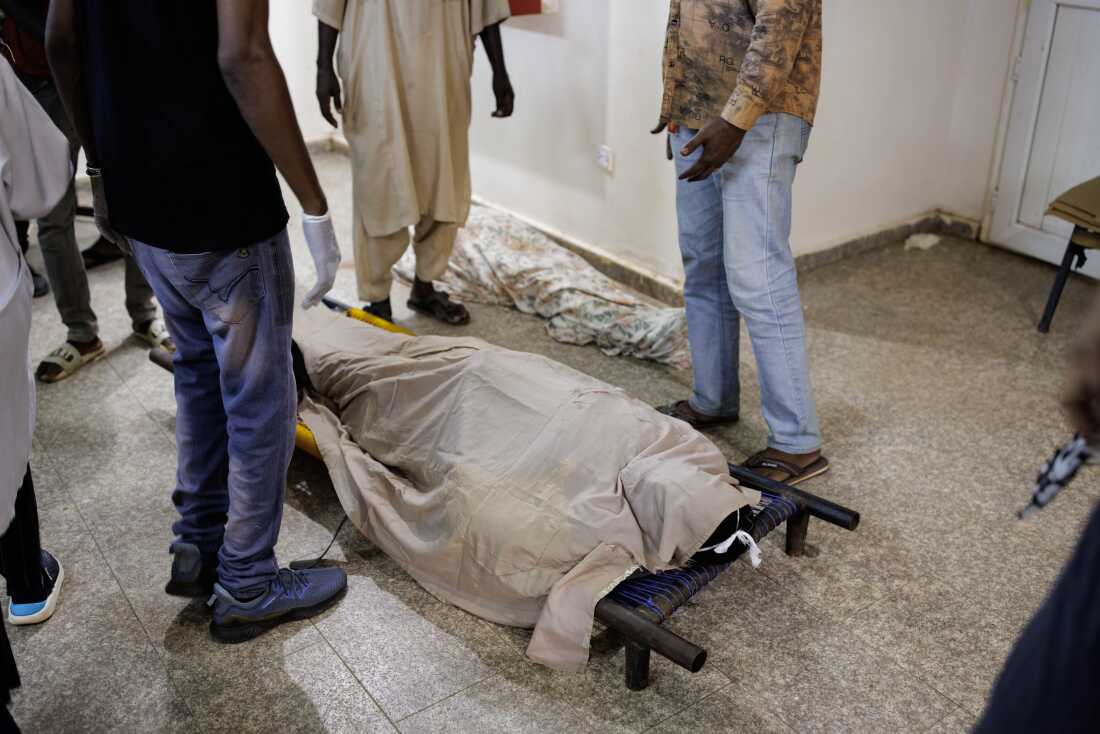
pixel 62 255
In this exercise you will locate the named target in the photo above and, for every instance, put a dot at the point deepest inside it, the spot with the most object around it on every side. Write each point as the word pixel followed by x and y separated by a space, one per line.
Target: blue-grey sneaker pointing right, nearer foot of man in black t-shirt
pixel 290 596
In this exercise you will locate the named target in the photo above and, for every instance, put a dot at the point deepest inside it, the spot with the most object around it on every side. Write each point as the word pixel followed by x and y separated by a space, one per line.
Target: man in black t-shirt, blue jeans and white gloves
pixel 185 115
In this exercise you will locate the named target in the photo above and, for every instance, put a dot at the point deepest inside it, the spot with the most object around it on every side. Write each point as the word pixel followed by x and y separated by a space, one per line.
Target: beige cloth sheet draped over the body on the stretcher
pixel 507 484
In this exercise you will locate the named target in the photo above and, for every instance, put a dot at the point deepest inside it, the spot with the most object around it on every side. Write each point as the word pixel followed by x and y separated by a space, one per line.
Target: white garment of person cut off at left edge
pixel 35 173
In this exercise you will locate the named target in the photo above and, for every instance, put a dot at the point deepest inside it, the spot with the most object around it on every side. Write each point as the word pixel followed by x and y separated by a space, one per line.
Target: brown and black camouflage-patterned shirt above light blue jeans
pixel 742 59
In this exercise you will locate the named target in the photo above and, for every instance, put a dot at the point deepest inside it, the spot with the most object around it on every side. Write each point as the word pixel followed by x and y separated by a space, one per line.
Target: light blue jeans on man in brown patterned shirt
pixel 735 232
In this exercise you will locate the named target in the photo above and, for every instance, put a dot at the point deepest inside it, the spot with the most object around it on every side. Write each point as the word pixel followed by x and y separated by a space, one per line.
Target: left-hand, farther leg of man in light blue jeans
pixel 713 323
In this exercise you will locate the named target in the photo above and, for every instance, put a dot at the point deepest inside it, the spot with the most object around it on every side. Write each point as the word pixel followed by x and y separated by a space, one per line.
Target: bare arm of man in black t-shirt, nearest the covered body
pixel 256 81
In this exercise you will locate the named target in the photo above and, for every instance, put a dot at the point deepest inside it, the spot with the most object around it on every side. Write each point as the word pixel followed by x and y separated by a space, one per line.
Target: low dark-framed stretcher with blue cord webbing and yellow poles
pixel 639 607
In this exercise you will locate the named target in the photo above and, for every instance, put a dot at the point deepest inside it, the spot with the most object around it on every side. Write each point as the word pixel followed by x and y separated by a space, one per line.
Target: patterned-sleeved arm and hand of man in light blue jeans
pixel 780 26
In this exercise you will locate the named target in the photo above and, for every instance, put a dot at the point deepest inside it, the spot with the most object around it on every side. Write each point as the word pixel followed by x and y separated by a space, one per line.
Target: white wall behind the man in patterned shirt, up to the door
pixel 911 98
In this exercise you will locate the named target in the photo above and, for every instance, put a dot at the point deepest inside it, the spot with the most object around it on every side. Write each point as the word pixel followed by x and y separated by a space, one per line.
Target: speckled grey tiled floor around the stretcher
pixel 939 402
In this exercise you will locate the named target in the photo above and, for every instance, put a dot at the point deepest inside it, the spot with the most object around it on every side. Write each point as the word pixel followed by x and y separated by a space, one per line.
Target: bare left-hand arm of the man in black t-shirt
pixel 63 52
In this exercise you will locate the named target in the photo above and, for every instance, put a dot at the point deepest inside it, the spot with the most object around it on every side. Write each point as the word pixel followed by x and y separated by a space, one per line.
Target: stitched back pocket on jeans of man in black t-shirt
pixel 225 284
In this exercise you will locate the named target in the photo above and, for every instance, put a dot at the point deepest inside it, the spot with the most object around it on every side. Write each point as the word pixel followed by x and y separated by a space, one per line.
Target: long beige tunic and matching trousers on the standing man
pixel 405 67
